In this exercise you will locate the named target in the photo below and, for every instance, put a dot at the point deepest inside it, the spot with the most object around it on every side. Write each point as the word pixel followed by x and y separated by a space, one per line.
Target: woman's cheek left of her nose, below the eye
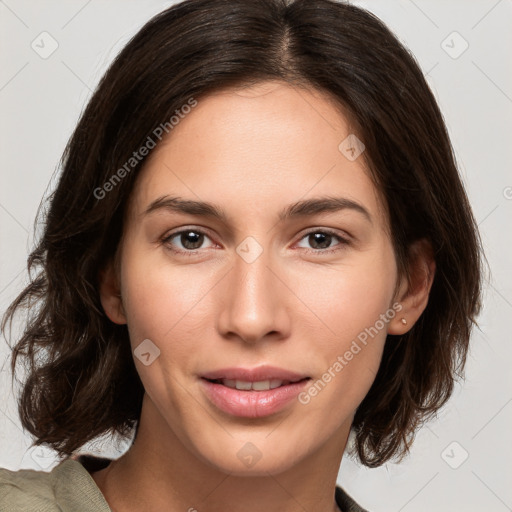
pixel 163 304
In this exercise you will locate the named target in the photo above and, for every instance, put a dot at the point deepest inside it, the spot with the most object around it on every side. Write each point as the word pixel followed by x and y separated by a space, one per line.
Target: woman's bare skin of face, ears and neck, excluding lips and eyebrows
pixel 252 152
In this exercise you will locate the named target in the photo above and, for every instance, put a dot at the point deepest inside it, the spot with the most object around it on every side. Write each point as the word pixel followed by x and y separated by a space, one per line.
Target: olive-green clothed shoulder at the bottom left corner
pixel 67 487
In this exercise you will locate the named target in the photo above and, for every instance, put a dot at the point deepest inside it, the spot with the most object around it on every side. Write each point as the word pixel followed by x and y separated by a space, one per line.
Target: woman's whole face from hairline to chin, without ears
pixel 264 283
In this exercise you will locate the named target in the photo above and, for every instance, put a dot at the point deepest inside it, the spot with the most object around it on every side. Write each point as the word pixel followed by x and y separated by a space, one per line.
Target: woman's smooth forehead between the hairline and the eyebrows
pixel 251 148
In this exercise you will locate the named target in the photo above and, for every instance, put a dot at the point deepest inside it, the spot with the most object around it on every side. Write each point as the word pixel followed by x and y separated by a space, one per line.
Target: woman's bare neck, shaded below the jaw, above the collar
pixel 161 472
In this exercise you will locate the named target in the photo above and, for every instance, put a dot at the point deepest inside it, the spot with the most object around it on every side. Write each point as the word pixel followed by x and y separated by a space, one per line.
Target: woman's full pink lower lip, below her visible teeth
pixel 251 404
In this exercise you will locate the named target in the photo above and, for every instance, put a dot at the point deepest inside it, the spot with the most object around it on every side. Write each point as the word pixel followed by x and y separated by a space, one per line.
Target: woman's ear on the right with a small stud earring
pixel 413 294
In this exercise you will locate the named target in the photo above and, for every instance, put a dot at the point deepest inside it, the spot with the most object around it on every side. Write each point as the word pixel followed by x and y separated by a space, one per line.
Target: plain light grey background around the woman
pixel 458 462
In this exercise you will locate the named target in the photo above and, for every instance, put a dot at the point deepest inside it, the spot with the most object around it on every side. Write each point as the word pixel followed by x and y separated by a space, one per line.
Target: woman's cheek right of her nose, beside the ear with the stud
pixel 353 304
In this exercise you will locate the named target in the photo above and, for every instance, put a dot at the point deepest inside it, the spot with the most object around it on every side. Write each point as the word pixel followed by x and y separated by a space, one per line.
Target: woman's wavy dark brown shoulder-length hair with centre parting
pixel 81 379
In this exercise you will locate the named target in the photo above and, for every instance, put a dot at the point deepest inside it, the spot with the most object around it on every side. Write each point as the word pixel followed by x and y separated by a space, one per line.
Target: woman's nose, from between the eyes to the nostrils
pixel 256 302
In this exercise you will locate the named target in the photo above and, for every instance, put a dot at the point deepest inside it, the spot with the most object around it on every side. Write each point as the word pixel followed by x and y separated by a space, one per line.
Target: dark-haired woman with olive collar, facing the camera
pixel 258 245
